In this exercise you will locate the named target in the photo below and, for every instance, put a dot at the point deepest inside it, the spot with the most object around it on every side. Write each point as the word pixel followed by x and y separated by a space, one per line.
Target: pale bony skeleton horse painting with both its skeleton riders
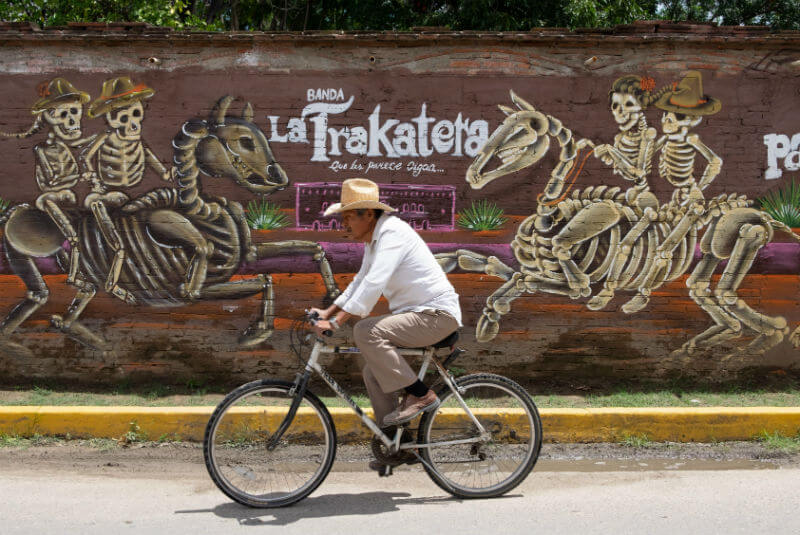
pixel 589 243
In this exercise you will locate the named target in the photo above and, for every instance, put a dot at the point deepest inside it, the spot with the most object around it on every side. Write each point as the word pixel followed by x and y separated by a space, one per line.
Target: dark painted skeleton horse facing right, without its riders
pixel 182 245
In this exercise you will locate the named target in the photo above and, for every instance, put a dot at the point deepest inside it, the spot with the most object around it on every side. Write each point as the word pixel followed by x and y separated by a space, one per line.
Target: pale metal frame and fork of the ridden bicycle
pixel 313 365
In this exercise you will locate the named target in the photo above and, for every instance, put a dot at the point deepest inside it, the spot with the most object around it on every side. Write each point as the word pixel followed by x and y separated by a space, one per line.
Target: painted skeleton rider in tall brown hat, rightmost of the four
pixel 684 108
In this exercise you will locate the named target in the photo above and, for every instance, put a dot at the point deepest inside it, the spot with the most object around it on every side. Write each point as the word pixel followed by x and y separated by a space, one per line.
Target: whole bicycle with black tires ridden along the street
pixel 271 443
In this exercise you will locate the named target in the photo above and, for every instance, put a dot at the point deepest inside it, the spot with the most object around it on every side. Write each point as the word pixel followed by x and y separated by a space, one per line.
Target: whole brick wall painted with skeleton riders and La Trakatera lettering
pixel 609 207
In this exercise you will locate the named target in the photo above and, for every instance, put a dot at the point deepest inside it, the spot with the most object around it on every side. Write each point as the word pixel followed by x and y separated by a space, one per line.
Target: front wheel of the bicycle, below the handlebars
pixel 236 438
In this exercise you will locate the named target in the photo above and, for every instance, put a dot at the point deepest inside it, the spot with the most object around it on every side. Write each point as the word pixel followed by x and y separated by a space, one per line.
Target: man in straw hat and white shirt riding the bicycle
pixel 424 306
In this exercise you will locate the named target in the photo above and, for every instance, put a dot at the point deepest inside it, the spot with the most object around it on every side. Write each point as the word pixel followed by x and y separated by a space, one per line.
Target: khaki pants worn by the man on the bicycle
pixel 386 372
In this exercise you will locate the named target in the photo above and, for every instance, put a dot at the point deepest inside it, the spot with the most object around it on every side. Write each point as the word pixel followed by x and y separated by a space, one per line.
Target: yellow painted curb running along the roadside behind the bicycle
pixel 559 425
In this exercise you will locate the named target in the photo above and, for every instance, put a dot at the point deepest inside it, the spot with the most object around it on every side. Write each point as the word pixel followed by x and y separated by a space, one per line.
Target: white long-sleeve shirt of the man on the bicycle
pixel 398 264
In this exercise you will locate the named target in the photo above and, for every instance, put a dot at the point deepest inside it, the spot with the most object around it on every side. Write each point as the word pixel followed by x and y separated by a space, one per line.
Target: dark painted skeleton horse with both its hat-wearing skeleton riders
pixel 171 246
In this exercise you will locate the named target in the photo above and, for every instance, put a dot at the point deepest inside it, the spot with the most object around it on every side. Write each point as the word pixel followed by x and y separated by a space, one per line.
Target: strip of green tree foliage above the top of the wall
pixel 399 15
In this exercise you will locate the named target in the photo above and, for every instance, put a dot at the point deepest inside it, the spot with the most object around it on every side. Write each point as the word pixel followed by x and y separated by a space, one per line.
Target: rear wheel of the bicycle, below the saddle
pixel 488 465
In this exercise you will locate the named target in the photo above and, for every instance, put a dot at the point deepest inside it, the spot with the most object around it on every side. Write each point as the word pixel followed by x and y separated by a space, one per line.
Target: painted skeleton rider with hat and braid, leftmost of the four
pixel 60 107
